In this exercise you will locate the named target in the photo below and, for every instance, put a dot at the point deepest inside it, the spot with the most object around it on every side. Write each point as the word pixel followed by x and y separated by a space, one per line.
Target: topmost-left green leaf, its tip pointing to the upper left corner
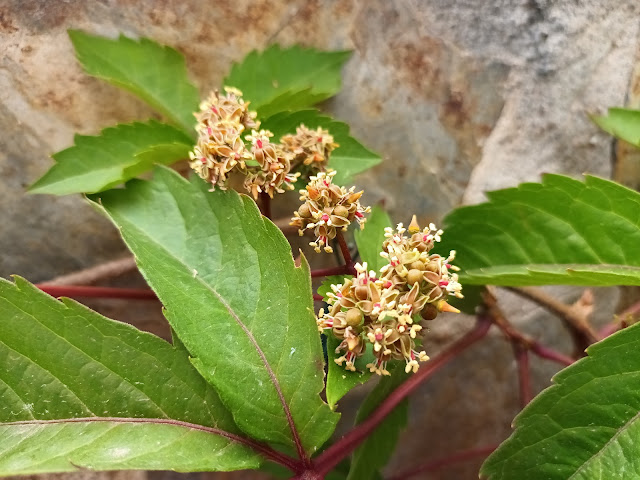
pixel 155 73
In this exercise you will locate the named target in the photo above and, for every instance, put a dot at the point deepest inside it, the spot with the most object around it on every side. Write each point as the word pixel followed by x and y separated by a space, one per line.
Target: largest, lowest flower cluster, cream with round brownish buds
pixel 385 309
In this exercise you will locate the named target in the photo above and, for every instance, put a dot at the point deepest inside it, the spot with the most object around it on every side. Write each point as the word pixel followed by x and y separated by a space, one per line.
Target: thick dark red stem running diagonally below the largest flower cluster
pixel 333 455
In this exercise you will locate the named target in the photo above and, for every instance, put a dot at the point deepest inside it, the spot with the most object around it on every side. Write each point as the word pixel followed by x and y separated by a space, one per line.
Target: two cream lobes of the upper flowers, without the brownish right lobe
pixel 220 149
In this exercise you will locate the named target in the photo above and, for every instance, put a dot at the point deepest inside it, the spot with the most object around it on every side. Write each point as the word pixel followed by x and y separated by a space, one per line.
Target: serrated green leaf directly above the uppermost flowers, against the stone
pixel 280 79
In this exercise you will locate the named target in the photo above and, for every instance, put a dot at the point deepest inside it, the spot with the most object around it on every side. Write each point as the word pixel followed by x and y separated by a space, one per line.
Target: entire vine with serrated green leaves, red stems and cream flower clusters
pixel 240 386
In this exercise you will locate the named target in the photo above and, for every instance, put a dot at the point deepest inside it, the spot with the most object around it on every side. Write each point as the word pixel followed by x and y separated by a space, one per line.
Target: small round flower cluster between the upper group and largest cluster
pixel 326 208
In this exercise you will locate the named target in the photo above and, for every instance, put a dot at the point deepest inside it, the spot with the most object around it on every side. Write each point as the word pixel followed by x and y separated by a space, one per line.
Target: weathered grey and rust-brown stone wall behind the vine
pixel 459 97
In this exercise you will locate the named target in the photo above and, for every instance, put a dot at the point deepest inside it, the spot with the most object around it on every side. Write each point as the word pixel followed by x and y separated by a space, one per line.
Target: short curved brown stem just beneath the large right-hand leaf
pixel 584 335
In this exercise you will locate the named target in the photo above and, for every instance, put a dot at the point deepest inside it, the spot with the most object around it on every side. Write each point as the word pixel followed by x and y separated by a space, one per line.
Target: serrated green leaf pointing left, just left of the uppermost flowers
pixel 119 153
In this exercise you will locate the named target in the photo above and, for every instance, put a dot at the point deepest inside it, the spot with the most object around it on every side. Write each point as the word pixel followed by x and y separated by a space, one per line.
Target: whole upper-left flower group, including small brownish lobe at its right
pixel 223 147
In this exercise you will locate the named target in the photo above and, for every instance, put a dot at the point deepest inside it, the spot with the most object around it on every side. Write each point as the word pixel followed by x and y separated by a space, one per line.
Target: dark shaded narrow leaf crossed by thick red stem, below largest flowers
pixel 376 450
